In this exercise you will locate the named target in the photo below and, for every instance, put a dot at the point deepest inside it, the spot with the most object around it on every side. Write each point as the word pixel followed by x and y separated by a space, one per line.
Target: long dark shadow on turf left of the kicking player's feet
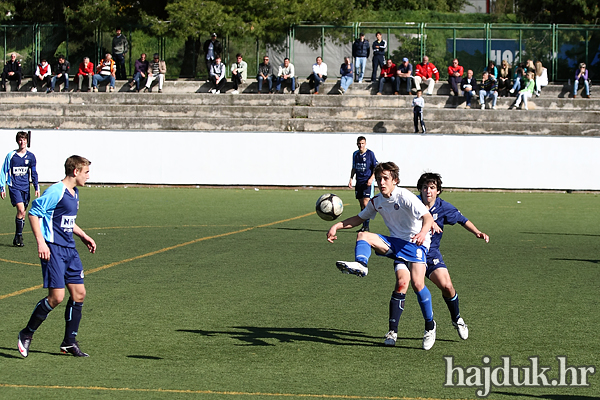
pixel 263 336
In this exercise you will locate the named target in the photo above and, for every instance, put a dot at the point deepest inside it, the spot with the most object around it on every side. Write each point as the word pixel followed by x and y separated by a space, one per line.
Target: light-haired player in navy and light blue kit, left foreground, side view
pixel 52 219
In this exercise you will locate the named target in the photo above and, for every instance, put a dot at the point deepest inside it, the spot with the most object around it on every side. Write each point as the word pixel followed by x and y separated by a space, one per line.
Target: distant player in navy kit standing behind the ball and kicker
pixel 363 165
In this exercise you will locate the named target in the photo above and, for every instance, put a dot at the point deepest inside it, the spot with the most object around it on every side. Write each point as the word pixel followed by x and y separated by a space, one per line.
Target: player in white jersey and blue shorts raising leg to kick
pixel 409 223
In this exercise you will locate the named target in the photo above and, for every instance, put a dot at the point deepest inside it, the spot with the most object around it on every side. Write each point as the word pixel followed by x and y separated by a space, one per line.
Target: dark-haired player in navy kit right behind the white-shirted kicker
pixel 430 186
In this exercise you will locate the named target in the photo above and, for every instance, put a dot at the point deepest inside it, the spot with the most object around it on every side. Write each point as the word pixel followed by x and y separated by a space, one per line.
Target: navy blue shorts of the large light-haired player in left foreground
pixel 64 266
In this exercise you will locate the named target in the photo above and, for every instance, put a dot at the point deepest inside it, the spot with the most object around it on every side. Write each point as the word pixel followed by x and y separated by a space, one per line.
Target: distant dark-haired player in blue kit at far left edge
pixel 17 170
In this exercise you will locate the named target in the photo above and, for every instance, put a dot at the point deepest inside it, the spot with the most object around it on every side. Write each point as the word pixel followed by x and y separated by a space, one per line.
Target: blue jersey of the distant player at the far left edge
pixel 17 170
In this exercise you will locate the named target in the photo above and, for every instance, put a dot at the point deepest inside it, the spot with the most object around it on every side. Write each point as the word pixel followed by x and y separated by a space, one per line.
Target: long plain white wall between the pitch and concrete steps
pixel 315 159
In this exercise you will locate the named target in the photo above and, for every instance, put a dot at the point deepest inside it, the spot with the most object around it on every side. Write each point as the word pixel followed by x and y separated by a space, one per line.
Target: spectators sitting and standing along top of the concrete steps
pixel 522 81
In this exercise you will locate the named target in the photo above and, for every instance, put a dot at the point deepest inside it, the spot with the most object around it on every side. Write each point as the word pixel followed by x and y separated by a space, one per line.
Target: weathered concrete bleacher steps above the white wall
pixel 179 107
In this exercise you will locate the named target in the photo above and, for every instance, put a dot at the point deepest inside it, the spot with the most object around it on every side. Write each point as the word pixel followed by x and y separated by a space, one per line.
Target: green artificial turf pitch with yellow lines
pixel 234 294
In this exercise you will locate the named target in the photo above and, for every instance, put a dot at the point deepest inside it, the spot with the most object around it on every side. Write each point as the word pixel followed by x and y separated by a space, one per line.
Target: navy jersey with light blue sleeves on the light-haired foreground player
pixel 57 210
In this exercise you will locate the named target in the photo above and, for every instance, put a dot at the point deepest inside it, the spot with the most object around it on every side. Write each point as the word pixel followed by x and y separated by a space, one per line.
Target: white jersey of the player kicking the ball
pixel 401 212
